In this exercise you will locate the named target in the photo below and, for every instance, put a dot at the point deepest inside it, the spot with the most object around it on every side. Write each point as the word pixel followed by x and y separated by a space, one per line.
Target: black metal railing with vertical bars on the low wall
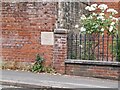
pixel 94 47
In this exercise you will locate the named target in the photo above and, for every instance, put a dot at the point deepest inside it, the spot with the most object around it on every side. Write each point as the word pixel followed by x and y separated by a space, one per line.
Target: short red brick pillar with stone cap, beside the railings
pixel 60 50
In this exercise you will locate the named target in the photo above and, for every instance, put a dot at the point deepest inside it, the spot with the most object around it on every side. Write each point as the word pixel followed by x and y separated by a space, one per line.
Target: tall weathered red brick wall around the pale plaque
pixel 22 24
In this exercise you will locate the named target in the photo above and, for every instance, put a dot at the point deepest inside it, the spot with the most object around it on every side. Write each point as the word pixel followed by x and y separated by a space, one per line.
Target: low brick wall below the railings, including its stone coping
pixel 91 69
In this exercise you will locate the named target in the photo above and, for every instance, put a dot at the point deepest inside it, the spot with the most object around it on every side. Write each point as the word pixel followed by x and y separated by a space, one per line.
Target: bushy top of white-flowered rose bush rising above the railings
pixel 100 21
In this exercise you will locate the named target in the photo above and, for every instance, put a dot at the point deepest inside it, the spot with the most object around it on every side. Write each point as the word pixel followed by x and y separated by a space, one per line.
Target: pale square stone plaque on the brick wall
pixel 47 38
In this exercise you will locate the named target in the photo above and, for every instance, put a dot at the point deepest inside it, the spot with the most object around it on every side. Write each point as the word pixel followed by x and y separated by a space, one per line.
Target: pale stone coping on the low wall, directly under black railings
pixel 91 62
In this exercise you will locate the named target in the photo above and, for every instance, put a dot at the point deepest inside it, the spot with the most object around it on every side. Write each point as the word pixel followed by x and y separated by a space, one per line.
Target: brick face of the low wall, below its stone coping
pixel 108 72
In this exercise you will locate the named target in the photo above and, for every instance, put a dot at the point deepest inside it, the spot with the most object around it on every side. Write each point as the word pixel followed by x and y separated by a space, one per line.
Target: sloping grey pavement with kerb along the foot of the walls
pixel 34 80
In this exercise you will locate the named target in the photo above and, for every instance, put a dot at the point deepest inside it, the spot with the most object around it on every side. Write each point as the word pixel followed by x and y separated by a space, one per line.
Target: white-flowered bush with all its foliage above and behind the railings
pixel 99 22
